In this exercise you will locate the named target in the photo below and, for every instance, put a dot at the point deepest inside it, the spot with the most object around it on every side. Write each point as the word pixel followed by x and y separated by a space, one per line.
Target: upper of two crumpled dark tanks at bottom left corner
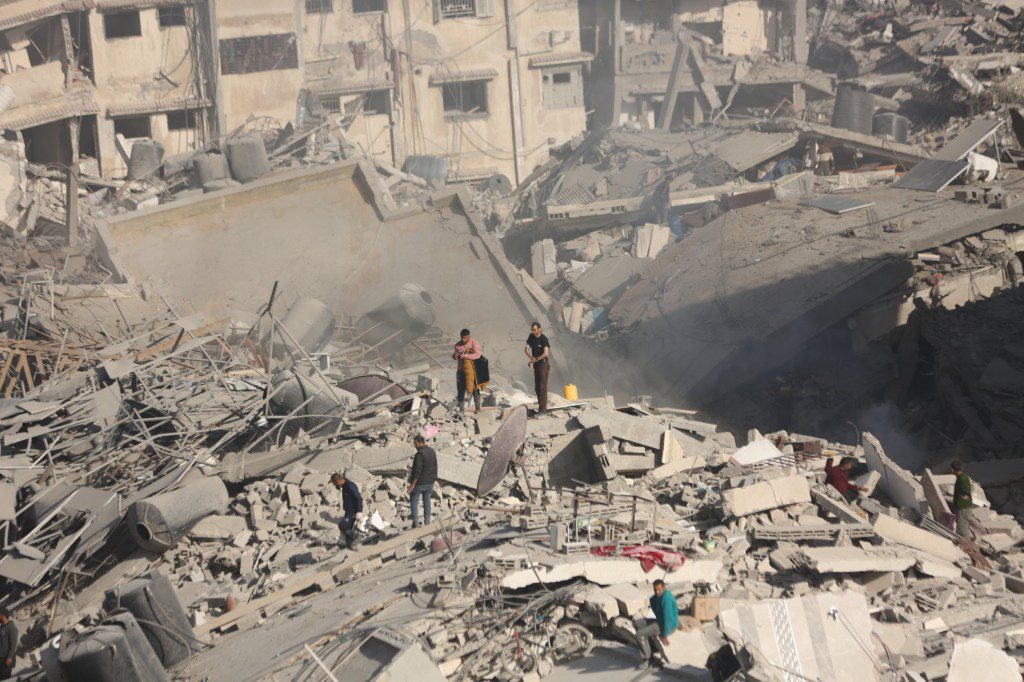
pixel 154 603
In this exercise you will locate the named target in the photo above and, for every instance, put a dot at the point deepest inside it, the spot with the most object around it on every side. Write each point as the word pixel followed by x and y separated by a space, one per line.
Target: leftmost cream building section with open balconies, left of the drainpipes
pixel 88 78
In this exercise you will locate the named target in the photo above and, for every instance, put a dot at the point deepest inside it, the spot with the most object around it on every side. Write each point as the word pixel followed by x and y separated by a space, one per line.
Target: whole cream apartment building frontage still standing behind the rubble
pixel 488 87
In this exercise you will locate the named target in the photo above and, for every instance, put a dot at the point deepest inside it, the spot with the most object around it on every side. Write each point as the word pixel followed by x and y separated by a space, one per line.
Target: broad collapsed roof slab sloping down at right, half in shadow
pixel 738 297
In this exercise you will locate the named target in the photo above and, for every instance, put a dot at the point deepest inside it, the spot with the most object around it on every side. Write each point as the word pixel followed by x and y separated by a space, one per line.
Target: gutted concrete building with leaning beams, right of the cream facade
pixel 641 61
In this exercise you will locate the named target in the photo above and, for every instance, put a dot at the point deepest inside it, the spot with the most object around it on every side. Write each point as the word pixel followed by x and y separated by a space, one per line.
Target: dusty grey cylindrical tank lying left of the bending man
pixel 159 523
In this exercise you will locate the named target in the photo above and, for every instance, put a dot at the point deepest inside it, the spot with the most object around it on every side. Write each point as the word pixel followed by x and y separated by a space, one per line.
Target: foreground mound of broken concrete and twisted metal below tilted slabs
pixel 166 488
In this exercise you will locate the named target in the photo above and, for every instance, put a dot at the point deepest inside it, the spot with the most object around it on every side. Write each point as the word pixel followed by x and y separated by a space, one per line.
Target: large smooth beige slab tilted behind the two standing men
pixel 226 251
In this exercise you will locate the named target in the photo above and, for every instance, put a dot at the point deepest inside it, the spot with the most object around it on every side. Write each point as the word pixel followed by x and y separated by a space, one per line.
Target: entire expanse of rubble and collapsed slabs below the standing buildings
pixel 165 459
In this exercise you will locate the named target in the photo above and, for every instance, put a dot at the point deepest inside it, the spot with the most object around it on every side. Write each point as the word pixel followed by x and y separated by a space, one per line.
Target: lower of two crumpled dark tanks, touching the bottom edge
pixel 116 651
